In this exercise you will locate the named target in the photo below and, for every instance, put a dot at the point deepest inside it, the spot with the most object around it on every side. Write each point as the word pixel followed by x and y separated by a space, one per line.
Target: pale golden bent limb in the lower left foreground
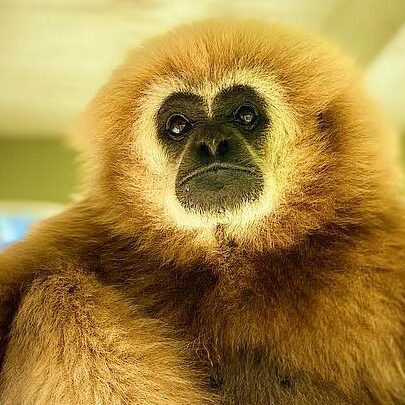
pixel 75 341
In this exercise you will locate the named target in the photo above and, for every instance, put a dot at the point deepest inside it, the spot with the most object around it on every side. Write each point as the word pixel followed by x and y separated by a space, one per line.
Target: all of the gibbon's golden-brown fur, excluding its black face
pixel 299 298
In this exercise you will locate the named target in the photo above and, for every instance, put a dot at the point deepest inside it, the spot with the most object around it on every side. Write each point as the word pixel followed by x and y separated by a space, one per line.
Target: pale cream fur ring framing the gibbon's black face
pixel 161 190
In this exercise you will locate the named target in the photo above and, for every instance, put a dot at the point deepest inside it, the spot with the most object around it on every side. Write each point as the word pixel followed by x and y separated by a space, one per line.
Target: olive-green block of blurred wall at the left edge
pixel 36 169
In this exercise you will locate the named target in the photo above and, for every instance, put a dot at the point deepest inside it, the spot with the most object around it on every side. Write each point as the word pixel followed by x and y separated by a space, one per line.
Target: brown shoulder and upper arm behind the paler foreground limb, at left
pixel 48 247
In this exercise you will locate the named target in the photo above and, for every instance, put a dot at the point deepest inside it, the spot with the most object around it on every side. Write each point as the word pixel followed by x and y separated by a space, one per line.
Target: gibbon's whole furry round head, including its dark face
pixel 254 128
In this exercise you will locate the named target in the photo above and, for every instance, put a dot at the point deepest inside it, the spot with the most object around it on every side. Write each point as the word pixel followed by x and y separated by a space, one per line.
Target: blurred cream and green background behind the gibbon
pixel 55 54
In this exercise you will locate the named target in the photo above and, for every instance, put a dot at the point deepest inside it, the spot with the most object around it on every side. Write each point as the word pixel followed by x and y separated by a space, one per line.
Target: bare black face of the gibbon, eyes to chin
pixel 216 150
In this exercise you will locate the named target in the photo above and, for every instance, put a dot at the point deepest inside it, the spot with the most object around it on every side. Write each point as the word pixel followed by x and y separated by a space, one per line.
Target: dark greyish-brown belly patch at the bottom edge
pixel 251 378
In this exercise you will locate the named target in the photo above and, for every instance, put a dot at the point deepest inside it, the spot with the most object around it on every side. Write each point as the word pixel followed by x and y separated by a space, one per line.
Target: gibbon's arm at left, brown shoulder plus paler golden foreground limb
pixel 68 339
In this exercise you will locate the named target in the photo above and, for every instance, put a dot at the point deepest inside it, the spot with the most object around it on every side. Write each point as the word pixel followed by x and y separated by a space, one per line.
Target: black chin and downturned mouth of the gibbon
pixel 218 187
